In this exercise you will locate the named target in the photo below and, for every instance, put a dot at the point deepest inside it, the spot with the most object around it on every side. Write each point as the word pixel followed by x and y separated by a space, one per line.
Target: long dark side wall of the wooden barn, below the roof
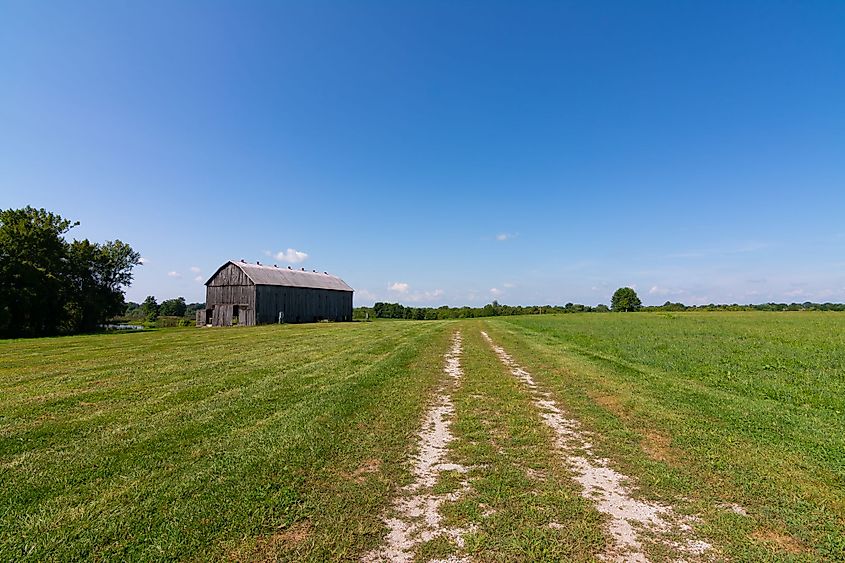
pixel 302 305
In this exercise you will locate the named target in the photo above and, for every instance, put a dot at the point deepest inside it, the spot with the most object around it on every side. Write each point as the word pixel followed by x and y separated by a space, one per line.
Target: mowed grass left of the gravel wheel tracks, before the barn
pixel 271 442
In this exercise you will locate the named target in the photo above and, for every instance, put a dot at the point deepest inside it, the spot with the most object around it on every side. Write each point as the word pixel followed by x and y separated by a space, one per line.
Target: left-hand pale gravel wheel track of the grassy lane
pixel 416 517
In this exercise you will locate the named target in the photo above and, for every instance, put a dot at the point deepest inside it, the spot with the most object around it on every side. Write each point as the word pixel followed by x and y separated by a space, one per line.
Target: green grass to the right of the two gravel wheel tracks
pixel 709 409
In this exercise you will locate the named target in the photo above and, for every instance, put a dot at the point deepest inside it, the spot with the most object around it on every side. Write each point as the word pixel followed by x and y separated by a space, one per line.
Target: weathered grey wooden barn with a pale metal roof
pixel 258 294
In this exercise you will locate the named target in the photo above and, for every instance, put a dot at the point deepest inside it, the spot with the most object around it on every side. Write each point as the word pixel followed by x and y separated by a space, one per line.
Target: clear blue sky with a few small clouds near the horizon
pixel 442 153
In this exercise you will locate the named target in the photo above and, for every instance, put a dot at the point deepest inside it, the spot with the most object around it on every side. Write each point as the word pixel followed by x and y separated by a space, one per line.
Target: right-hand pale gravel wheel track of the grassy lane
pixel 630 519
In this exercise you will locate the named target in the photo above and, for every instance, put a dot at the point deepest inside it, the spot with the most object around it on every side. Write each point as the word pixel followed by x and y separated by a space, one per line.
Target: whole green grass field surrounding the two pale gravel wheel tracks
pixel 291 442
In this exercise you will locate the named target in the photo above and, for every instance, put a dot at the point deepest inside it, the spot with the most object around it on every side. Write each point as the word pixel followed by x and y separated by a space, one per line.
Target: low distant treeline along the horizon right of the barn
pixel 494 309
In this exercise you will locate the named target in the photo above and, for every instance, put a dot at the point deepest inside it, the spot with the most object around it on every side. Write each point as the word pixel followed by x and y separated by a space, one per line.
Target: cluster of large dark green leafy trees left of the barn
pixel 49 285
